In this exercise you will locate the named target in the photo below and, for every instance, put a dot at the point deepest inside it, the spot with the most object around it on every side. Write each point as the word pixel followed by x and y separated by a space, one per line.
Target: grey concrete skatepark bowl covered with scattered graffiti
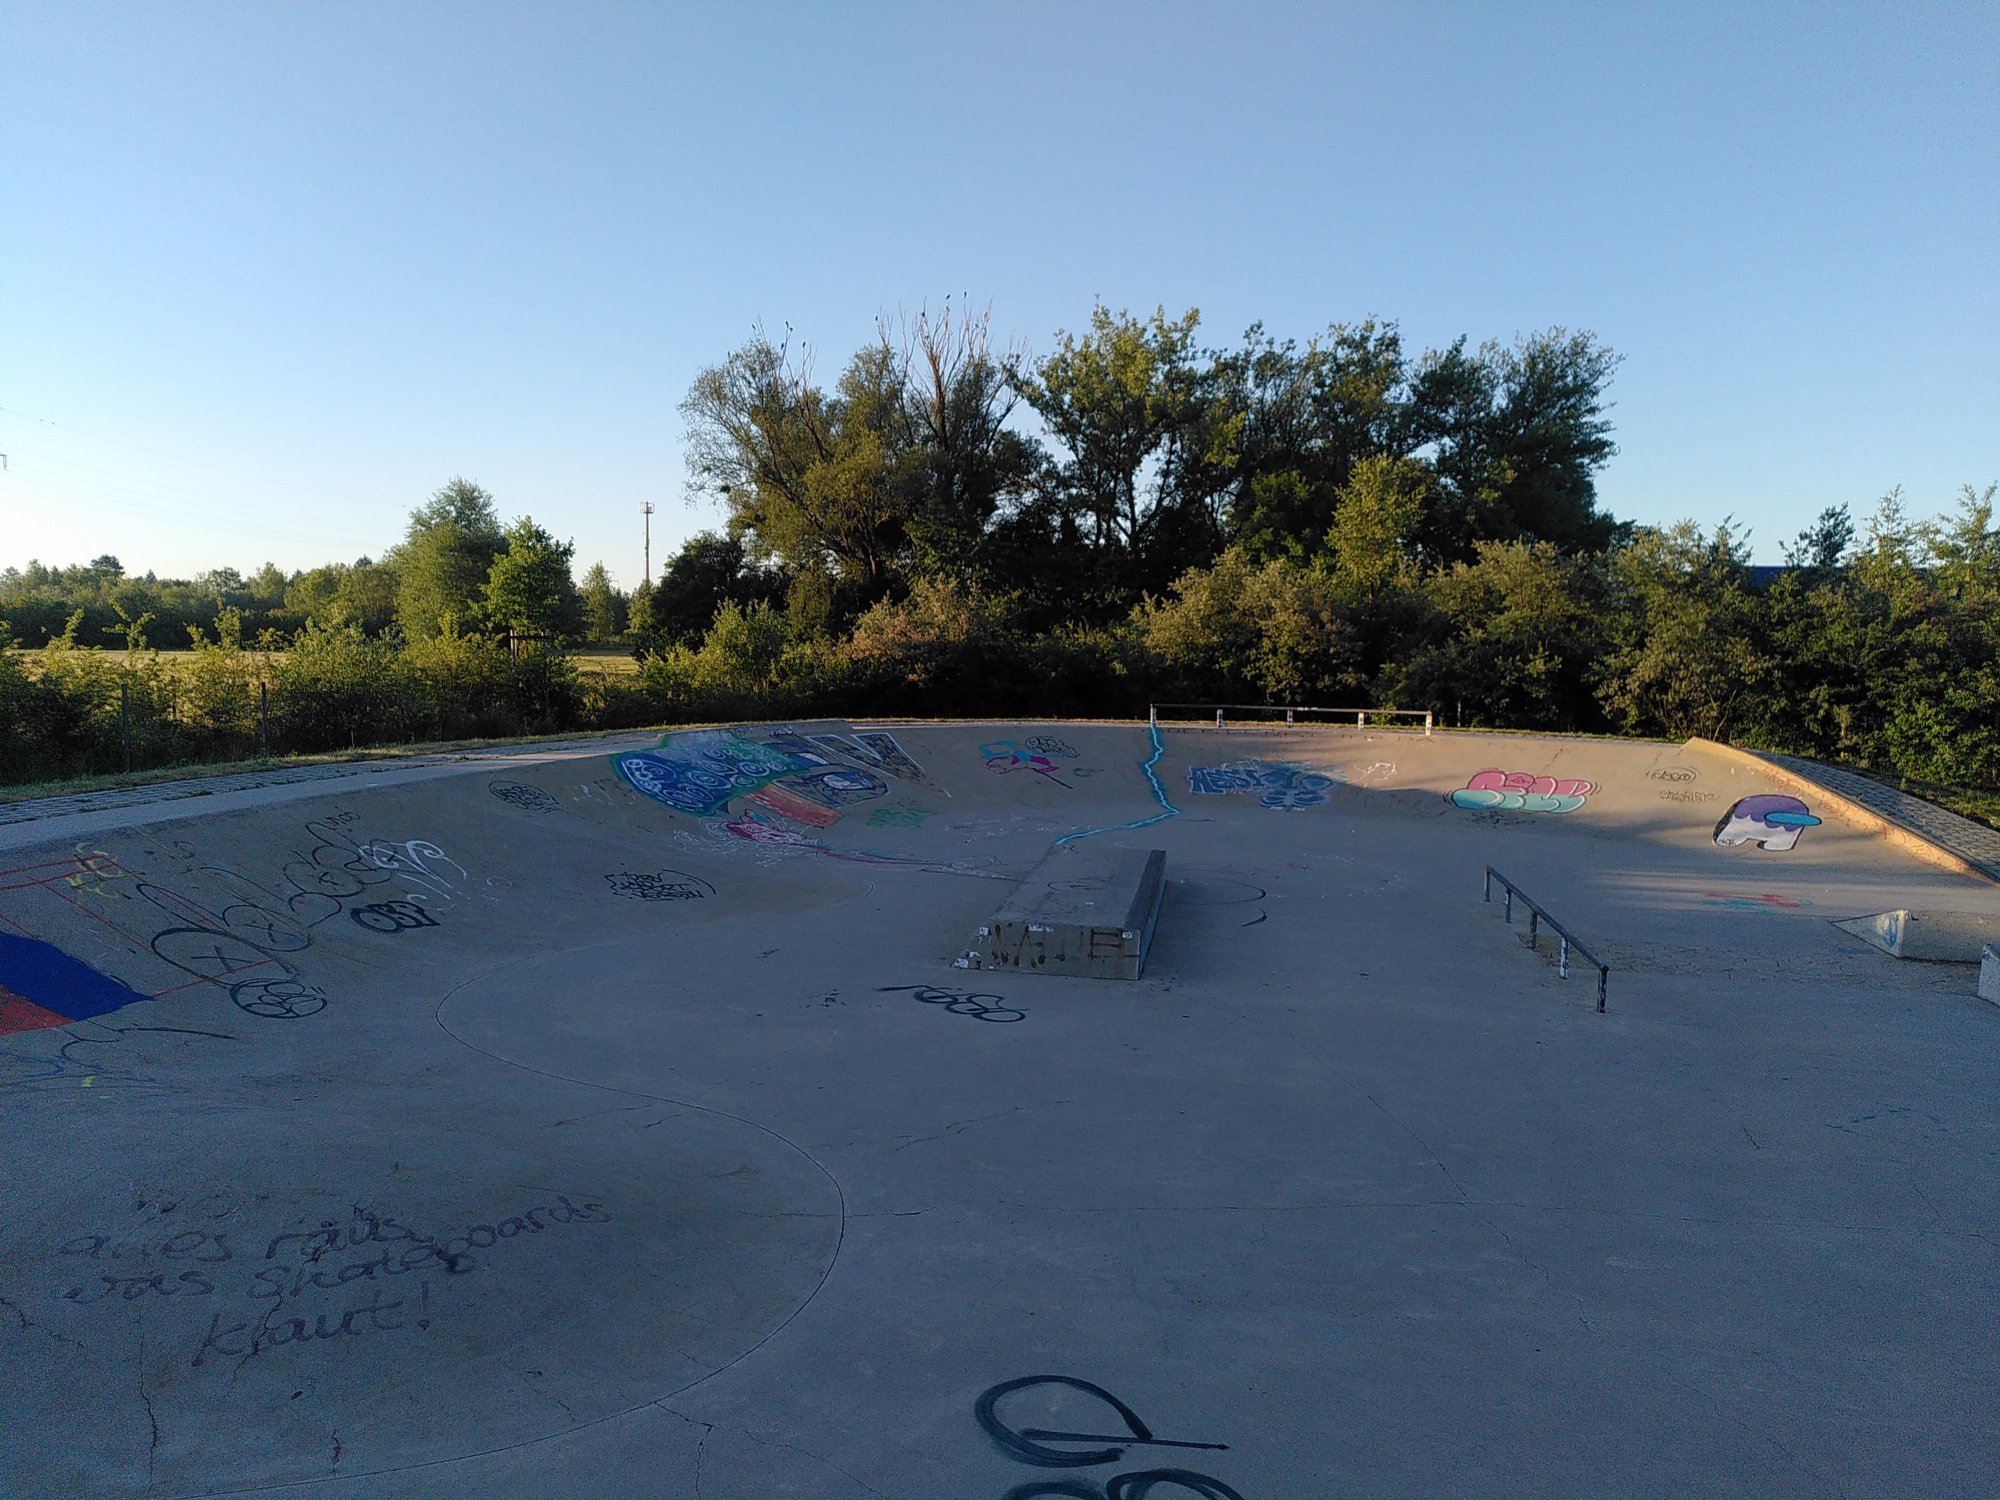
pixel 647 1119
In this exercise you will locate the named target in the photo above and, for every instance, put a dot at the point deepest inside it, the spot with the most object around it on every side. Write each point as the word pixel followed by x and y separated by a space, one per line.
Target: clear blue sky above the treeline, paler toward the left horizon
pixel 273 273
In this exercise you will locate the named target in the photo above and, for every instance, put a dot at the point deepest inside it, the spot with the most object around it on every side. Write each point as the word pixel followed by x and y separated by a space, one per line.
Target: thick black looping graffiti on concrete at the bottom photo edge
pixel 1041 1423
